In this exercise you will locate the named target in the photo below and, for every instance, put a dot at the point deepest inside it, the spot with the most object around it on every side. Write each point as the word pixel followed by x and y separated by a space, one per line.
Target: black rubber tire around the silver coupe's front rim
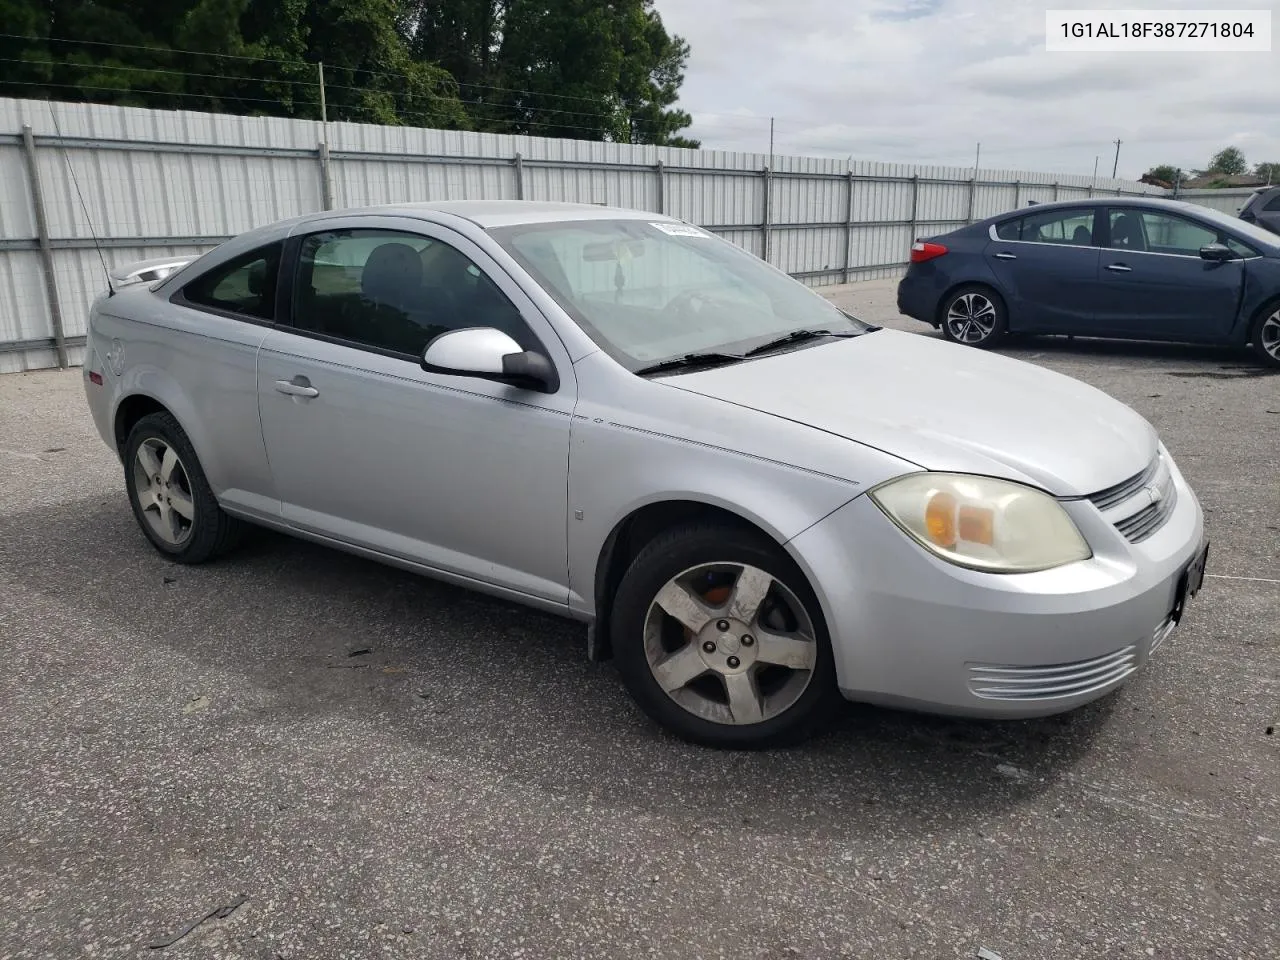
pixel 682 550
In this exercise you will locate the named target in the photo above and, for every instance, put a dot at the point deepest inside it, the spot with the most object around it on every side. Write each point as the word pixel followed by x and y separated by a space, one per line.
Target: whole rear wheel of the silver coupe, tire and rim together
pixel 171 497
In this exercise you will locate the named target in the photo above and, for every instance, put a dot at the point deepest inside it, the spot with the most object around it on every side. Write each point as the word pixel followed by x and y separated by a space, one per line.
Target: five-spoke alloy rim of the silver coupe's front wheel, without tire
pixel 730 643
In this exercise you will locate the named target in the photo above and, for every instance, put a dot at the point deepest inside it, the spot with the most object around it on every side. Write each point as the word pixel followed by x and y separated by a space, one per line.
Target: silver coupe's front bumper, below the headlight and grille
pixel 912 630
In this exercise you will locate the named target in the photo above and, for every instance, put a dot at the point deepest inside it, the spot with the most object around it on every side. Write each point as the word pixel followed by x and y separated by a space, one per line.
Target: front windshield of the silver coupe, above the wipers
pixel 648 292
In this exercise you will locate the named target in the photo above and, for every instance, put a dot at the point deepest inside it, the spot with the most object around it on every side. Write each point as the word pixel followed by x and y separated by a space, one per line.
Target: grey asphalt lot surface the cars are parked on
pixel 387 767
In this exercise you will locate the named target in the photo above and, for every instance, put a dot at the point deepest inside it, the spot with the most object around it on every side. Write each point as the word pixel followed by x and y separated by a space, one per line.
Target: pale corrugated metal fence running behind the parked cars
pixel 149 184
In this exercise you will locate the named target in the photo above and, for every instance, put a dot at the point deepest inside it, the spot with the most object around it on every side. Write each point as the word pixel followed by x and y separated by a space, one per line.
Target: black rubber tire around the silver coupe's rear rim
pixel 209 532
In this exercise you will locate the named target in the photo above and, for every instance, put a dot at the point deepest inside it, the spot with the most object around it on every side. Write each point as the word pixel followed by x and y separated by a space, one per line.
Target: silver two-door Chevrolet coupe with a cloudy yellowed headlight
pixel 757 502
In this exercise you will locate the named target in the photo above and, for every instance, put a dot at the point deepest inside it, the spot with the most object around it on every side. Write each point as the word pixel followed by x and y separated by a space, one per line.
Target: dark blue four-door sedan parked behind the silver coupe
pixel 1124 268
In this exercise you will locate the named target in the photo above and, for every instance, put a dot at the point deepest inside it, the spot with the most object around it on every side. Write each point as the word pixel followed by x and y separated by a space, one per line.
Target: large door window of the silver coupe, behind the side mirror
pixel 396 291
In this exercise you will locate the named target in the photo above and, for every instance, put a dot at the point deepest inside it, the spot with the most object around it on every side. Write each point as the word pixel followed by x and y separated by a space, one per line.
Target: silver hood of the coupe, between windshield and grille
pixel 945 408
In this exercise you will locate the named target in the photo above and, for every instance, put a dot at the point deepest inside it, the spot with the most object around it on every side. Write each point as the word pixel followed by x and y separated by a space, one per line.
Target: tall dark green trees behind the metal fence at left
pixel 588 70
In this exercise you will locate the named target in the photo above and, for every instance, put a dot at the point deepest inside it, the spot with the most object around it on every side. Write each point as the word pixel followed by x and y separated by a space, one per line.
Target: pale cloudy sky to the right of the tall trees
pixel 925 81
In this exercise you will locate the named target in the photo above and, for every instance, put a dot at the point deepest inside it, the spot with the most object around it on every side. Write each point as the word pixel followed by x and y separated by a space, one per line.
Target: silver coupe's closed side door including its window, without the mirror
pixel 464 477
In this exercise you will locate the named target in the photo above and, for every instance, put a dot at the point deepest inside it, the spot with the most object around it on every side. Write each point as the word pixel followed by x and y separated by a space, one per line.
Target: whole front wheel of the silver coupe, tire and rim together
pixel 720 639
